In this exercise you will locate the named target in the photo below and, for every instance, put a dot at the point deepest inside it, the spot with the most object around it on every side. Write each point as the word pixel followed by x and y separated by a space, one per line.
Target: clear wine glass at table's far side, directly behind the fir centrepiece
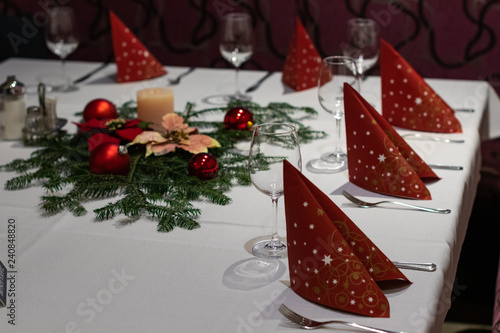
pixel 236 44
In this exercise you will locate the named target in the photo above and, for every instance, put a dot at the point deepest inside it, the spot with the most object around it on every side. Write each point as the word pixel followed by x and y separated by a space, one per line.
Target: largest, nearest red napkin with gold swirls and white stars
pixel 331 261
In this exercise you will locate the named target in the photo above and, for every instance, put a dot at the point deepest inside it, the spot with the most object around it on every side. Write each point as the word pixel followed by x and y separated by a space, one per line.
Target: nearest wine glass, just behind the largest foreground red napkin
pixel 271 144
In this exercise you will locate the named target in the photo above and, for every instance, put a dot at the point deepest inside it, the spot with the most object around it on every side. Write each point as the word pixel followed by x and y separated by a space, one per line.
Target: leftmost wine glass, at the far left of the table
pixel 62 39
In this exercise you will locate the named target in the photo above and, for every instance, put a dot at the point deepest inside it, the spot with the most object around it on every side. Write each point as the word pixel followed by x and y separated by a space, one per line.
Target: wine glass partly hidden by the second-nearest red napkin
pixel 334 72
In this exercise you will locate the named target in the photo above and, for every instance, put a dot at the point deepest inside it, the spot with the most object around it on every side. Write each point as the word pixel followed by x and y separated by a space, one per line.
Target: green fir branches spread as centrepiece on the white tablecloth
pixel 158 187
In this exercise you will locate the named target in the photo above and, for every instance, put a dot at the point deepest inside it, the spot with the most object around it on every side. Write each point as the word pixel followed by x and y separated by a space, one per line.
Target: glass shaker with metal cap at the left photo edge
pixel 14 108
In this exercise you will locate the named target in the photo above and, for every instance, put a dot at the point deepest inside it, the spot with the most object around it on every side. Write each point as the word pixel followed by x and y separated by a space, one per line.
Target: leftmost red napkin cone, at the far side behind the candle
pixel 133 60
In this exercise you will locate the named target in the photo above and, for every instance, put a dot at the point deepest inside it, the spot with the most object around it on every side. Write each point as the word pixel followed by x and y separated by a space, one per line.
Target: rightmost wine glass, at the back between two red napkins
pixel 362 45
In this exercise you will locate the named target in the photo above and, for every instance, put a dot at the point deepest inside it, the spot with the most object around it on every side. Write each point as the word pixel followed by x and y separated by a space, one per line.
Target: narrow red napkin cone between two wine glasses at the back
pixel 302 63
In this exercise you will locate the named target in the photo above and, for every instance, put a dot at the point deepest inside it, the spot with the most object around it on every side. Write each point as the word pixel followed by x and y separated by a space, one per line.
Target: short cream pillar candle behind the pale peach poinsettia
pixel 154 103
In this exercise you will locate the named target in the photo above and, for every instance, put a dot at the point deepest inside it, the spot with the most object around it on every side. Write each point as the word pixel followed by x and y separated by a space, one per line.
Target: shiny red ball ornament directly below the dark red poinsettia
pixel 110 158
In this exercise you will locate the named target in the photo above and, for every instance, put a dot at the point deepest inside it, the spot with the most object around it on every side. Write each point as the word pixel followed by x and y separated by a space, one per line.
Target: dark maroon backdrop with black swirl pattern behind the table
pixel 446 39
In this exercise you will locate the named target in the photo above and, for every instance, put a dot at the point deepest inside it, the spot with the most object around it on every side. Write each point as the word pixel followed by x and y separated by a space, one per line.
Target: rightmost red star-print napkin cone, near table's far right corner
pixel 409 102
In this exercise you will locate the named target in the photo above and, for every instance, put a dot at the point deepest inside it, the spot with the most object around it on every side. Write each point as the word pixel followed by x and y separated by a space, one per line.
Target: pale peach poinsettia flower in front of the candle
pixel 176 134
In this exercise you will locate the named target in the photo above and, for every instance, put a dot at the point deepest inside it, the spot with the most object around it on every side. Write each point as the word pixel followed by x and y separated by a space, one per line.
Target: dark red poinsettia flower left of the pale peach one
pixel 102 131
